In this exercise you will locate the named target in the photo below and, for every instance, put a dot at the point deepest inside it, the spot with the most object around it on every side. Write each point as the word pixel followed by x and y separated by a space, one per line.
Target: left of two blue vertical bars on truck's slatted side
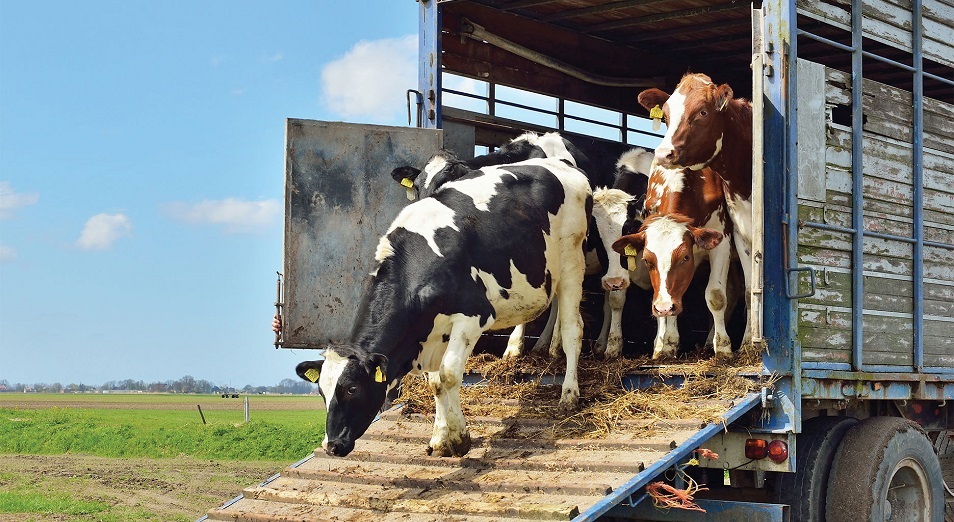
pixel 857 189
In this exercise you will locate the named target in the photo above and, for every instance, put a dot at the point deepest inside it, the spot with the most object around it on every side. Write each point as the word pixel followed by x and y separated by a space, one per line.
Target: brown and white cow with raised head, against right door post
pixel 708 128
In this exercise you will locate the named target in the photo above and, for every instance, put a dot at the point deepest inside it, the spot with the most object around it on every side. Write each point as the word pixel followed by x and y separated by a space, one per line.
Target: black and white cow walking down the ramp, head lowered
pixel 487 251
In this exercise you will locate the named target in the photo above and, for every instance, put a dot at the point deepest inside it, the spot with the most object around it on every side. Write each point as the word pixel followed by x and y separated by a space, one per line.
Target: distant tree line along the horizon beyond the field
pixel 186 384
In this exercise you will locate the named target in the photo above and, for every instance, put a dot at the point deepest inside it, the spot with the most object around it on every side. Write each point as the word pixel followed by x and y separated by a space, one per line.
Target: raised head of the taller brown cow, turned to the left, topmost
pixel 695 118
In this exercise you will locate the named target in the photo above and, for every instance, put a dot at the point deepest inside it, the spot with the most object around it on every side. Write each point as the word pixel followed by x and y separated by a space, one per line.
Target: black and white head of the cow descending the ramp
pixel 354 388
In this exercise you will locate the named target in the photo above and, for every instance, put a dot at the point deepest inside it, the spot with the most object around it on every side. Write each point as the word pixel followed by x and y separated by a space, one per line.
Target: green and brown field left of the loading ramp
pixel 104 457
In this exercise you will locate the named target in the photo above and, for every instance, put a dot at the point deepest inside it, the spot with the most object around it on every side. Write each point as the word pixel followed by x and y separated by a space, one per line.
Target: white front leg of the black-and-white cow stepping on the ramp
pixel 450 437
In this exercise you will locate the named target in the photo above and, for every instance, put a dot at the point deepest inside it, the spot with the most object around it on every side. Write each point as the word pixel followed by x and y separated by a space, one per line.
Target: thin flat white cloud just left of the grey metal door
pixel 234 214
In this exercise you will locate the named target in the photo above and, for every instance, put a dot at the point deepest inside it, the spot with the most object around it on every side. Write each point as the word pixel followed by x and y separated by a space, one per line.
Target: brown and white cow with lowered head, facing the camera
pixel 687 224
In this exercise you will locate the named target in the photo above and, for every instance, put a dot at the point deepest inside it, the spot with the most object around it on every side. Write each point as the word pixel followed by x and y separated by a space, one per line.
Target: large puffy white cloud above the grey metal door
pixel 371 80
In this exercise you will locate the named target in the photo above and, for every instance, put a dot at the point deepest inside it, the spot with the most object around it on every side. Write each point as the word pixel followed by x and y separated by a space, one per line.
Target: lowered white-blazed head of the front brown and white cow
pixel 668 243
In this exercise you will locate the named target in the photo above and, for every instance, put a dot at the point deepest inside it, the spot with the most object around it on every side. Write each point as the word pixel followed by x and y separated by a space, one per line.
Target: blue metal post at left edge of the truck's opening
pixel 429 67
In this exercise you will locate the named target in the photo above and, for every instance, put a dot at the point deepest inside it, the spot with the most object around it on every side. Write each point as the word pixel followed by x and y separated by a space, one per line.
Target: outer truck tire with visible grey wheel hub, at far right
pixel 885 469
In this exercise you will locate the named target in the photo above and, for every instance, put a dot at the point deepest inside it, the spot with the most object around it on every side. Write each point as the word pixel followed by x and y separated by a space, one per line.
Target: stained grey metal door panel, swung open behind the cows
pixel 339 199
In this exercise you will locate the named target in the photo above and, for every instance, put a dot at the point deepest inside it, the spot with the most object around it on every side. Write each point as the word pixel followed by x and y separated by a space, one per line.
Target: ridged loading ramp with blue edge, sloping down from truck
pixel 507 475
